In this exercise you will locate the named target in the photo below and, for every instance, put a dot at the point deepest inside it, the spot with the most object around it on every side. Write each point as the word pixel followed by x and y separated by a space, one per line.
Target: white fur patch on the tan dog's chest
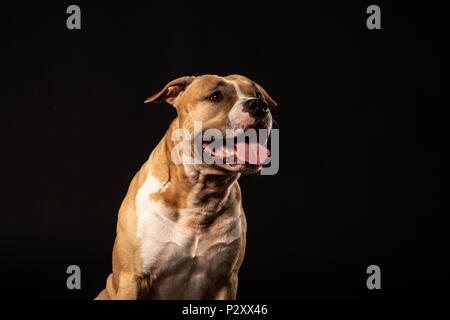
pixel 181 262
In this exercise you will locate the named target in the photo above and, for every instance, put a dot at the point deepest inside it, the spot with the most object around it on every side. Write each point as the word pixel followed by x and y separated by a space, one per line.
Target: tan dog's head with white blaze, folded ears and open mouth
pixel 234 115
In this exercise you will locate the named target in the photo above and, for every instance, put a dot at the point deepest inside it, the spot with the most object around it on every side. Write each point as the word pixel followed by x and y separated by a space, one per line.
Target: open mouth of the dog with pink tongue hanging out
pixel 236 151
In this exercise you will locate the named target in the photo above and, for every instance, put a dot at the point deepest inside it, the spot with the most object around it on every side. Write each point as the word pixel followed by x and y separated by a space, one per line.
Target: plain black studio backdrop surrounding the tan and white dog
pixel 363 134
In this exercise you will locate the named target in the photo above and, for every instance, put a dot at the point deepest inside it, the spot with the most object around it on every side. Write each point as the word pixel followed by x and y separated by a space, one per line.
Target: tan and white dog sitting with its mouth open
pixel 181 229
